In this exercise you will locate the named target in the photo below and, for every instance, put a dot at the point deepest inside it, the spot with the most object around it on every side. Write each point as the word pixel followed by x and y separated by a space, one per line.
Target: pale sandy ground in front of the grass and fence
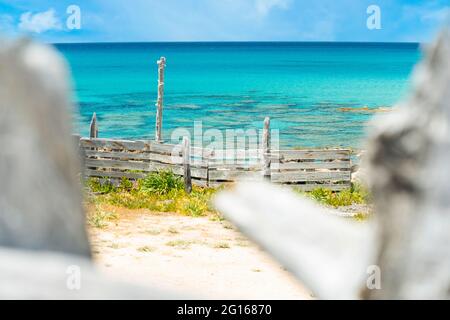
pixel 197 256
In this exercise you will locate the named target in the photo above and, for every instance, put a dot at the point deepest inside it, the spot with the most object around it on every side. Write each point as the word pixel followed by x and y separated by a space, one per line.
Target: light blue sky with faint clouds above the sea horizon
pixel 224 20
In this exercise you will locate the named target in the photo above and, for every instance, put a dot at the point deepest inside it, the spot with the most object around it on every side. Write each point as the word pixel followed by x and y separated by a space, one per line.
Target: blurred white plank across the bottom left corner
pixel 47 275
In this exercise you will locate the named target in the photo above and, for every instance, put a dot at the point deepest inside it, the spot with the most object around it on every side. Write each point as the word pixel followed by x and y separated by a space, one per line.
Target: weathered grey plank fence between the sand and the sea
pixel 308 169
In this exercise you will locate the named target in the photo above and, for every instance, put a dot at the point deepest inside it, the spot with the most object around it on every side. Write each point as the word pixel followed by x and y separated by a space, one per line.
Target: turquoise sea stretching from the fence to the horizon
pixel 303 87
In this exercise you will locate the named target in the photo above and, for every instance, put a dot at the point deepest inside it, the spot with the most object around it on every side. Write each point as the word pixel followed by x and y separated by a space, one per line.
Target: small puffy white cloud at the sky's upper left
pixel 39 22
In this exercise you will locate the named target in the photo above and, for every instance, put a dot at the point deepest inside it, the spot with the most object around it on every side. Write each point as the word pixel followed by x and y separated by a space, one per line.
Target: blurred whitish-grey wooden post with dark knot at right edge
pixel 409 171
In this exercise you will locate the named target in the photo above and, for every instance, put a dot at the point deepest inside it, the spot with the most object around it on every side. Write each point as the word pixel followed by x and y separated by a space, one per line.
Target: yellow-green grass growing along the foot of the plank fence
pixel 163 191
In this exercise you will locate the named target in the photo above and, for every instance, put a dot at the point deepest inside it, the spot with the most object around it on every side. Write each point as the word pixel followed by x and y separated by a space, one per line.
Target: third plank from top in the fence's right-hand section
pixel 311 176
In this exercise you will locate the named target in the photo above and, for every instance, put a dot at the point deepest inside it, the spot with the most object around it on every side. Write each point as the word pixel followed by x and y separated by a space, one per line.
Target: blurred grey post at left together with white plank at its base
pixel 44 250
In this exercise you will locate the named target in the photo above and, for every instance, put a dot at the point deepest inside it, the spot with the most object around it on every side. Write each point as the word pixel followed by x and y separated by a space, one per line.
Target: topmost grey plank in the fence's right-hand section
pixel 327 154
